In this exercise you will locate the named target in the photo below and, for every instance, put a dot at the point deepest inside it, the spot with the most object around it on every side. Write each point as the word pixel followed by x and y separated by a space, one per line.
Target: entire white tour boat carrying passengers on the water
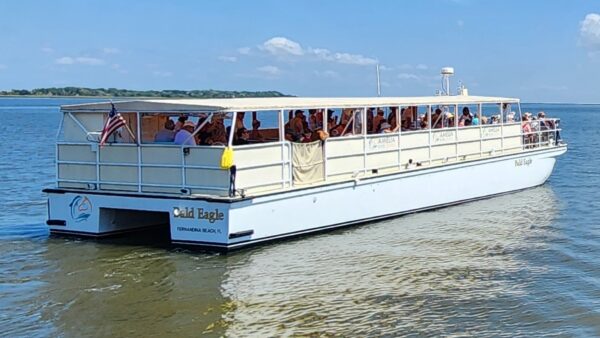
pixel 305 165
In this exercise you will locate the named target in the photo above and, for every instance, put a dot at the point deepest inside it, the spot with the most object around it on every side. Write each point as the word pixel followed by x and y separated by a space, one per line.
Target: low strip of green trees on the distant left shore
pixel 114 92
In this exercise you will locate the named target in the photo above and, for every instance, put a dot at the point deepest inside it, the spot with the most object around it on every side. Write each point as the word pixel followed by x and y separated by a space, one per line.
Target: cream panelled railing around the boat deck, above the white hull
pixel 261 167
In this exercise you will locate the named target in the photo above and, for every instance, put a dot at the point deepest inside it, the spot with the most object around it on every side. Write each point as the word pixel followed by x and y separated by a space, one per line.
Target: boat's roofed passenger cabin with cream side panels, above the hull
pixel 281 144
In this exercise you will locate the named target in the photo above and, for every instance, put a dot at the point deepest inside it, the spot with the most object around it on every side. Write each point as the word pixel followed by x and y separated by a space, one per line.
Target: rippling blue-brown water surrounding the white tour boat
pixel 524 264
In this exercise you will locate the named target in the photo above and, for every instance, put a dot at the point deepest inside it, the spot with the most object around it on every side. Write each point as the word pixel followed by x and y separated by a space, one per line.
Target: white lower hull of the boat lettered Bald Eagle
pixel 230 224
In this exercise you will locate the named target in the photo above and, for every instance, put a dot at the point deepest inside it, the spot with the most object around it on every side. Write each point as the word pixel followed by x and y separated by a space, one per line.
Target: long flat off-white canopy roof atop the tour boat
pixel 276 103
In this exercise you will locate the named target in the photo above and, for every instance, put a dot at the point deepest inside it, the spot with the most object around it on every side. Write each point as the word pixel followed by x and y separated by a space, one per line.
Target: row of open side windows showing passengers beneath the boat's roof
pixel 307 125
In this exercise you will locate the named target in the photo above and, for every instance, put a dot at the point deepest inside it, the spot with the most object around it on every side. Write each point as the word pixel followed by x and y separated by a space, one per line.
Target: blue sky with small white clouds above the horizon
pixel 536 50
